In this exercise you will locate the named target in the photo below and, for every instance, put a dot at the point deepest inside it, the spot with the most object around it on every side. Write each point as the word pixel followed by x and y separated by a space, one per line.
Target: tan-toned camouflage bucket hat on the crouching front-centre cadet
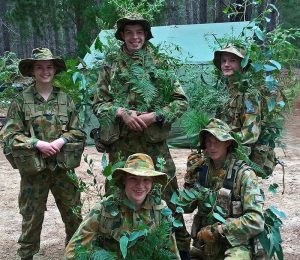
pixel 139 164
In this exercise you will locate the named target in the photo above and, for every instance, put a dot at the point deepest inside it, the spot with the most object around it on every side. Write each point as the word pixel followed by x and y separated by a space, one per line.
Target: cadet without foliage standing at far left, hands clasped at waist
pixel 41 122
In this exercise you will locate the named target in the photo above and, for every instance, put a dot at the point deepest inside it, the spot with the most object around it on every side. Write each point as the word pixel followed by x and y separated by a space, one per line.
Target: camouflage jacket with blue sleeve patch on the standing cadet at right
pixel 243 114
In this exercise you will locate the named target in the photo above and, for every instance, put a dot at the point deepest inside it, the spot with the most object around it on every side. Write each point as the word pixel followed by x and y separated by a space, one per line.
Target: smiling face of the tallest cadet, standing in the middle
pixel 134 37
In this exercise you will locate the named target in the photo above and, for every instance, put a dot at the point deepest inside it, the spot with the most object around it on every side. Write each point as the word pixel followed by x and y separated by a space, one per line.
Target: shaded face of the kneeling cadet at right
pixel 215 149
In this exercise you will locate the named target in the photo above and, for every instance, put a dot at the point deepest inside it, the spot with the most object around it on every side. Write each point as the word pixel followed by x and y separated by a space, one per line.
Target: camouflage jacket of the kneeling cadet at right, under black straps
pixel 249 222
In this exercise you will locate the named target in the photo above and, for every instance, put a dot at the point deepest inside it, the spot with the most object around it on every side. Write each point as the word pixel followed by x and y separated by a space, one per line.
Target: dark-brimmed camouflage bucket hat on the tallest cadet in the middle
pixel 133 19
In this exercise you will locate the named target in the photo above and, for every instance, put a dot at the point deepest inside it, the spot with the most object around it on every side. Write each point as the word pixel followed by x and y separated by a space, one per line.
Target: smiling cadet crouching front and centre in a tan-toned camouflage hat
pixel 105 224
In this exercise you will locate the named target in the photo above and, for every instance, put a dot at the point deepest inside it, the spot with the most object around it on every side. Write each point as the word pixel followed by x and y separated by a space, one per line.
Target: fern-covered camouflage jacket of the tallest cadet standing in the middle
pixel 111 86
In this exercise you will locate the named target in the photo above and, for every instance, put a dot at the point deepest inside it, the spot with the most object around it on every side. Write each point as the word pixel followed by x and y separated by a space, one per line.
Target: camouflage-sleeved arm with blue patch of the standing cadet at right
pixel 251 120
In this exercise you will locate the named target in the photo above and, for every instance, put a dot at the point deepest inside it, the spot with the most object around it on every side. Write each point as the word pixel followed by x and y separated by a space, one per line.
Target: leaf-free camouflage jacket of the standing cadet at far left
pixel 46 121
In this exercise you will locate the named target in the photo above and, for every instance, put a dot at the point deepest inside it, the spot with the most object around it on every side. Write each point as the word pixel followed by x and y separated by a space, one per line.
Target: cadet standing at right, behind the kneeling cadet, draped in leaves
pixel 243 111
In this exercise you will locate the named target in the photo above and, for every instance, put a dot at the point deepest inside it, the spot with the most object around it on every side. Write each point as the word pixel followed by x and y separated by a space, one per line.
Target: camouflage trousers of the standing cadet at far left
pixel 34 190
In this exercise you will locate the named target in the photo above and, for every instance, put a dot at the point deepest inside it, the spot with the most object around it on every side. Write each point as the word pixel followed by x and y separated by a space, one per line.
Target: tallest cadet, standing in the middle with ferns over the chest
pixel 130 130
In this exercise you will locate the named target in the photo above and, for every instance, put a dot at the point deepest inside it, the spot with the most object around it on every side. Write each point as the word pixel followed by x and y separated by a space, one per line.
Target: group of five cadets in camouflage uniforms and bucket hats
pixel 44 140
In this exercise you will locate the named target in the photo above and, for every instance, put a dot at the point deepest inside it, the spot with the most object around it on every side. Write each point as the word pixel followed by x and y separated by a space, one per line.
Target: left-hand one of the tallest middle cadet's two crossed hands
pixel 132 120
